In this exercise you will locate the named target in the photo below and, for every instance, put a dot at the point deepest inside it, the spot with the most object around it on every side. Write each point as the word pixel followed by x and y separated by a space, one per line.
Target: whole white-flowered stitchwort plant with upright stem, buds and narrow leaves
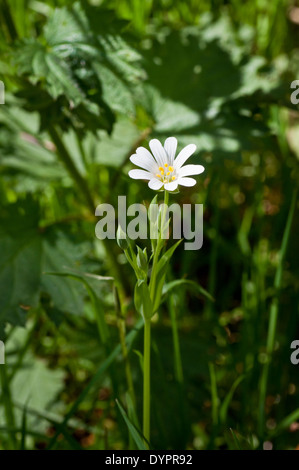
pixel 165 172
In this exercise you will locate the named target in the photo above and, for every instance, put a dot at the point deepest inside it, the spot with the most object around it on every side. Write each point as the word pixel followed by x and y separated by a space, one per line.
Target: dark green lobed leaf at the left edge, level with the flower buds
pixel 26 252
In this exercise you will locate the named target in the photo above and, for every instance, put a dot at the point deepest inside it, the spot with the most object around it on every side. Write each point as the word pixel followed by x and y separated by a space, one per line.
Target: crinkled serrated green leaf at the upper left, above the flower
pixel 91 74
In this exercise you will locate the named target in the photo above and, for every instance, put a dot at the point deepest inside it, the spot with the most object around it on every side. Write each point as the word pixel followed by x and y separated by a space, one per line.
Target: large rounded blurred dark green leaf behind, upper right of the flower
pixel 205 87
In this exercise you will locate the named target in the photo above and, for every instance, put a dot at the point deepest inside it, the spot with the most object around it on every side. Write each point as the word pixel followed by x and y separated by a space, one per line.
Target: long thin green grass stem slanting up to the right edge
pixel 273 317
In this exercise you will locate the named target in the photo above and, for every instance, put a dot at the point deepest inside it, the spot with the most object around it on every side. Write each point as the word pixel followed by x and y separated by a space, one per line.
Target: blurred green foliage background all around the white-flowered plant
pixel 86 83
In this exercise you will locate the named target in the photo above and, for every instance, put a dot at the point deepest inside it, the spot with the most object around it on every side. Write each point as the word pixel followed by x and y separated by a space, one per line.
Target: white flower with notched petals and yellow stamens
pixel 161 167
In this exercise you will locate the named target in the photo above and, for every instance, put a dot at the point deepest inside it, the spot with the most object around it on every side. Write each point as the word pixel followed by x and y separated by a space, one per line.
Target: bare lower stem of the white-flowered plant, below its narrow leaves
pixel 146 379
